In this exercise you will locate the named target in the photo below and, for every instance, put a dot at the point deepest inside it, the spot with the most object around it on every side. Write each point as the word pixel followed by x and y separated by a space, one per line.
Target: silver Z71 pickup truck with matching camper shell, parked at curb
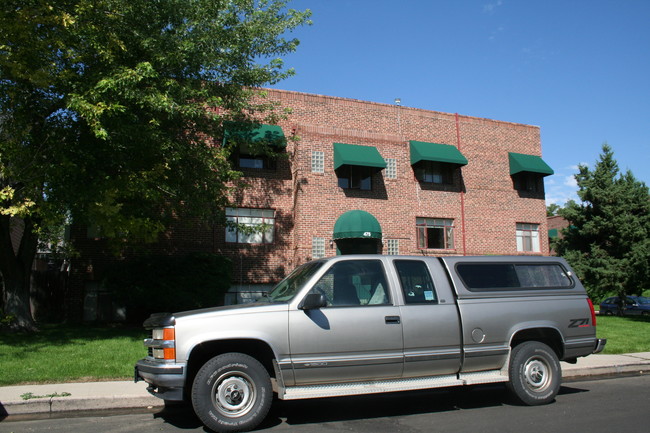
pixel 361 324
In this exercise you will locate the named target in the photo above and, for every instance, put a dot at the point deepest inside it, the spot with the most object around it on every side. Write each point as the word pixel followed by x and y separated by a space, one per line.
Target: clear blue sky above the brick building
pixel 578 69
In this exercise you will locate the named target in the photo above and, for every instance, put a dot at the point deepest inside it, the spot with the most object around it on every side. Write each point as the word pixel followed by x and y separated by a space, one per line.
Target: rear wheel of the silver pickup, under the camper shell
pixel 535 374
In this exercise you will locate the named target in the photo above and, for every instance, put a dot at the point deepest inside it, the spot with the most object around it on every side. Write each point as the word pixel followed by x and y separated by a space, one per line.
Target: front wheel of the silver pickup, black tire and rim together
pixel 231 393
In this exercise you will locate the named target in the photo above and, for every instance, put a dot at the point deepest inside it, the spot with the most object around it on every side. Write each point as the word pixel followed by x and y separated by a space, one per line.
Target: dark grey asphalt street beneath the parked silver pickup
pixel 618 404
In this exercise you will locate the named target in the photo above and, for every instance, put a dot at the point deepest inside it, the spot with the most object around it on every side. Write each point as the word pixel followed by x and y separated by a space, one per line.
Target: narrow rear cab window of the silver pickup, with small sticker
pixel 416 282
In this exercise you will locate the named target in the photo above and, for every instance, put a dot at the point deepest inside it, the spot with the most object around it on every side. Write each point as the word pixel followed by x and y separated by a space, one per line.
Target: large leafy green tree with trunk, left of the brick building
pixel 108 109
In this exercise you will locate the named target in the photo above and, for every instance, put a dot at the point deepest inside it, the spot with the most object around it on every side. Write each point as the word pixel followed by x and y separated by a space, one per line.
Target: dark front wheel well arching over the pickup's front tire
pixel 209 349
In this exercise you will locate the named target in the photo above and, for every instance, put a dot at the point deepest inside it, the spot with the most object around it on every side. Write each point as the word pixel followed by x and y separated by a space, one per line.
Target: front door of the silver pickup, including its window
pixel 357 336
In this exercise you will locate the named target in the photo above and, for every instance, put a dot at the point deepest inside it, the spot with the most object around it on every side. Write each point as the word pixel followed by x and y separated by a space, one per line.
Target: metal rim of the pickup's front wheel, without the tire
pixel 233 394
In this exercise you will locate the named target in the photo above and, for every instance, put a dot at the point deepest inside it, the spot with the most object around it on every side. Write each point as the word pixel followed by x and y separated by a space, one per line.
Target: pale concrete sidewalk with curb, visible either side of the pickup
pixel 69 397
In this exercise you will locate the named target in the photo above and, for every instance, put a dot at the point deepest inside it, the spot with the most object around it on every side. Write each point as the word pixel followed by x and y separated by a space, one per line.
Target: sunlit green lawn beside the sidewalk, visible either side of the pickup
pixel 68 353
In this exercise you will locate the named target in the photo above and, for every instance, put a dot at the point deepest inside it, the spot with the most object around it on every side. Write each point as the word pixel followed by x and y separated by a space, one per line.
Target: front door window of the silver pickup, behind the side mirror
pixel 354 283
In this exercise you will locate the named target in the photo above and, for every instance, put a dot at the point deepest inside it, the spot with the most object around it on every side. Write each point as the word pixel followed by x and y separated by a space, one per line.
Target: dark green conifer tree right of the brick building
pixel 607 241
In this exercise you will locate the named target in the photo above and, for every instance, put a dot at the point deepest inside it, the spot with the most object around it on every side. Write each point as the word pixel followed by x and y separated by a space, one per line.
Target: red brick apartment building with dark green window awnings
pixel 368 177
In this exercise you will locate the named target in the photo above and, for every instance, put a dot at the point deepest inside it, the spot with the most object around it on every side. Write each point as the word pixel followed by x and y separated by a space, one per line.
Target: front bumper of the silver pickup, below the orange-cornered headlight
pixel 166 380
